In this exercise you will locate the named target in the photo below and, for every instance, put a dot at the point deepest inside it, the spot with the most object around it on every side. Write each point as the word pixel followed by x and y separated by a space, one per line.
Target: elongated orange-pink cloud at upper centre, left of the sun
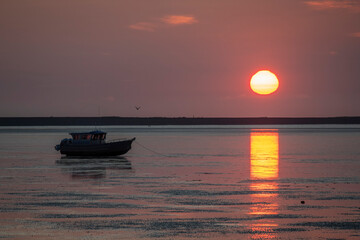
pixel 169 20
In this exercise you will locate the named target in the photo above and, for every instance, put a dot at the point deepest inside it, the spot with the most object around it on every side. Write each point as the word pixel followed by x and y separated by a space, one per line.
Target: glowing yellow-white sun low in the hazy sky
pixel 264 82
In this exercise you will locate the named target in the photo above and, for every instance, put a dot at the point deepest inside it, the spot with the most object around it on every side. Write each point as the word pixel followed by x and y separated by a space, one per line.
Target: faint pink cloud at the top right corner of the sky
pixel 352 5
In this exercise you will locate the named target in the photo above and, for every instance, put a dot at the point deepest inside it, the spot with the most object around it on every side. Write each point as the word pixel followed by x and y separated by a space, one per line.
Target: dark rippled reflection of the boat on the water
pixel 92 167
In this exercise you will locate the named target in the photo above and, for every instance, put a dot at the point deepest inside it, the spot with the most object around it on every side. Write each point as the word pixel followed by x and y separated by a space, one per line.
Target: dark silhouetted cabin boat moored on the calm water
pixel 93 144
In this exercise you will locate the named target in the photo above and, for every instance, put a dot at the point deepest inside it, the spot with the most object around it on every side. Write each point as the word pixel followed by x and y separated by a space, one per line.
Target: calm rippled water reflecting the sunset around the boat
pixel 231 182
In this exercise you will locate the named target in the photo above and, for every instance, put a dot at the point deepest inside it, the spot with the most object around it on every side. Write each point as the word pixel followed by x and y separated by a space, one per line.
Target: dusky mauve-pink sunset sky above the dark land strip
pixel 172 58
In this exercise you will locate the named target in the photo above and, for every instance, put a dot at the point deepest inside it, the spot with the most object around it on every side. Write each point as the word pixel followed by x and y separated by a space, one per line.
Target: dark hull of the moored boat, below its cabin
pixel 93 149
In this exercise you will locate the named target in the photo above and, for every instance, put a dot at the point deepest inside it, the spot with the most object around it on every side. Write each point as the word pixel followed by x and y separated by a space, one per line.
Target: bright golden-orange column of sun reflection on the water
pixel 264 168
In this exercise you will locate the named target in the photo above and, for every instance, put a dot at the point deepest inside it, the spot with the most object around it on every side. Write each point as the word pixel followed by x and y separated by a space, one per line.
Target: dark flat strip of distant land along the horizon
pixel 91 121
